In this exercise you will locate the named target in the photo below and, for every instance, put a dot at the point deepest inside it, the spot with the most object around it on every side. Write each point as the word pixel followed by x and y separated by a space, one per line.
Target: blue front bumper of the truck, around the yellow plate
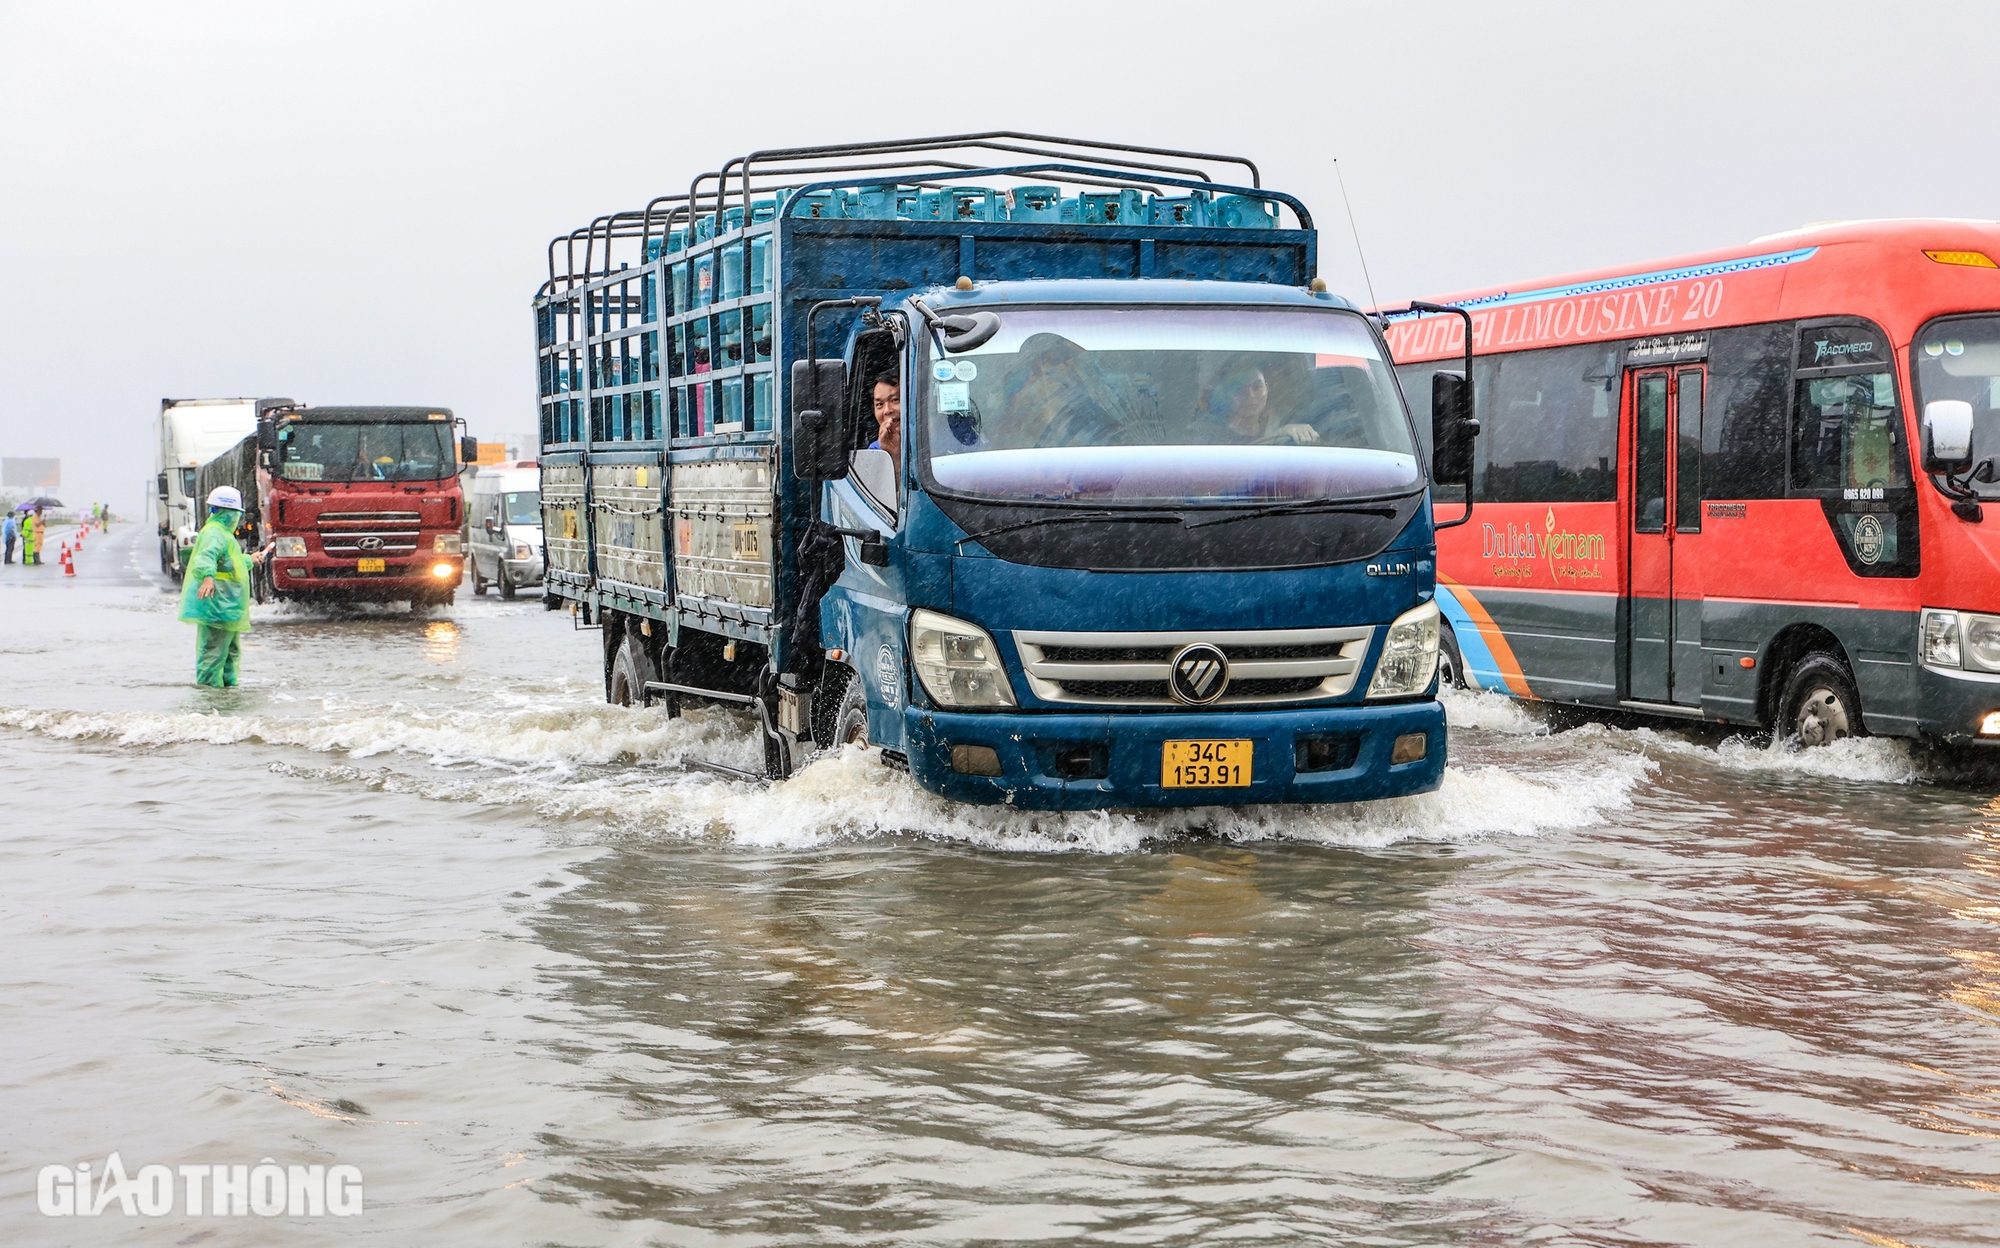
pixel 1113 761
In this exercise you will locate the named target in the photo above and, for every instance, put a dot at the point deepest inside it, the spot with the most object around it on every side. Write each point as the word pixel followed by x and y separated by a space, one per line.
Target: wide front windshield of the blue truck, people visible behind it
pixel 1169 407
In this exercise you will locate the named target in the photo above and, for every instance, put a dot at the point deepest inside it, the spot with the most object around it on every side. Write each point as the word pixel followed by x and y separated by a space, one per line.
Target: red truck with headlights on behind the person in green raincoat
pixel 353 505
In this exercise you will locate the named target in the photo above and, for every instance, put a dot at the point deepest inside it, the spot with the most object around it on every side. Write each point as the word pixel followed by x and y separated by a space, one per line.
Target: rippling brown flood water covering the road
pixel 413 899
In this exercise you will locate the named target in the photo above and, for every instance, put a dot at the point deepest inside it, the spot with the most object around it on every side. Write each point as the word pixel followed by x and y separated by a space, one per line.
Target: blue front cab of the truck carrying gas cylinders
pixel 1143 543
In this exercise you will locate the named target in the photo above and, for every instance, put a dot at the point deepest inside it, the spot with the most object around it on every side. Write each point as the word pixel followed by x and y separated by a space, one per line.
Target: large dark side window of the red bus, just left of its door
pixel 1549 425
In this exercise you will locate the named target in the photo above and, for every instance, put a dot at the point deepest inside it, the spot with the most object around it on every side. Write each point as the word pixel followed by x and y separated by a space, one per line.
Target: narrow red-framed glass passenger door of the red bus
pixel 1663 597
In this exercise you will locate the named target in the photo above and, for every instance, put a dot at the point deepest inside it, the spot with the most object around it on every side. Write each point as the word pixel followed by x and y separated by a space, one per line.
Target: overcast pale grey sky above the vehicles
pixel 351 201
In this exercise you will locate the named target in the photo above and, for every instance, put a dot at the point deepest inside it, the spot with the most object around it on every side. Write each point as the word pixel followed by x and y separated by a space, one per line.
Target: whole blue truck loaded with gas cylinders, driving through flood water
pixel 1045 469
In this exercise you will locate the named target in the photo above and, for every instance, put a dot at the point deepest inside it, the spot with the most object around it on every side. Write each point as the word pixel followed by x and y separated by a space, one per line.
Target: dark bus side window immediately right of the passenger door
pixel 1743 429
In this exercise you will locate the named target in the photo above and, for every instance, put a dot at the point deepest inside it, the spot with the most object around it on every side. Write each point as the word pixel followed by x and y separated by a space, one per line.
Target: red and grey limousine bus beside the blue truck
pixel 1741 487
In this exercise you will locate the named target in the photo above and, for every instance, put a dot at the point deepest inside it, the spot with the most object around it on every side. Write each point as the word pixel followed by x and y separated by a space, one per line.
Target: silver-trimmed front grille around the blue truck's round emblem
pixel 1131 669
